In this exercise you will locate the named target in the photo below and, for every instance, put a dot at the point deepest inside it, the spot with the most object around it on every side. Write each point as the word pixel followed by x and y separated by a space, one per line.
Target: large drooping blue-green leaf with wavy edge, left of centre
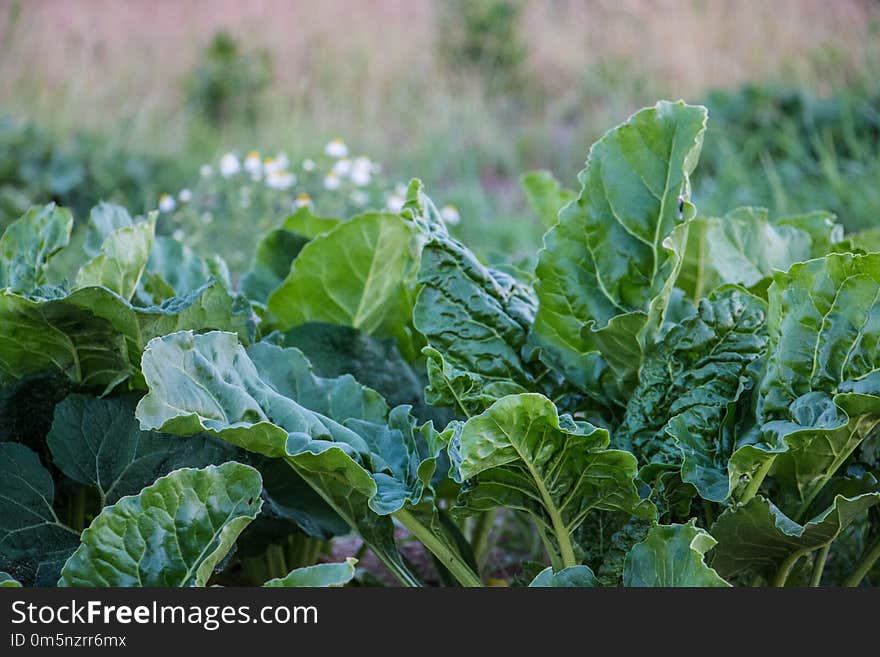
pixel 366 469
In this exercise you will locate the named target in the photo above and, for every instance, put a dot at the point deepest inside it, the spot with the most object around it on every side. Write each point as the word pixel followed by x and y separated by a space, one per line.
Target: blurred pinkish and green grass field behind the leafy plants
pixel 462 95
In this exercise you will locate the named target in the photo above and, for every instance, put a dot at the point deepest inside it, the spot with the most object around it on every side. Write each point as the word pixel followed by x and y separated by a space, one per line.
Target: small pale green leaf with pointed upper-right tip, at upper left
pixel 122 260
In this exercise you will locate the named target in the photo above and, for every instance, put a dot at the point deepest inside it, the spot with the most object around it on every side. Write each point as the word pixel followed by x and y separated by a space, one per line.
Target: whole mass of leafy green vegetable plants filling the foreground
pixel 669 399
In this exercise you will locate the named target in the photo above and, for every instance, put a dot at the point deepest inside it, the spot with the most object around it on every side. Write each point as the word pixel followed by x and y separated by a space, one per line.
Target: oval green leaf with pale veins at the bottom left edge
pixel 173 533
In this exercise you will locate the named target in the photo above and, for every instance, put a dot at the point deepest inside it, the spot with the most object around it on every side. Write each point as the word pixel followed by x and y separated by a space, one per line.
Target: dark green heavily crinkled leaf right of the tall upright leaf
pixel 690 383
